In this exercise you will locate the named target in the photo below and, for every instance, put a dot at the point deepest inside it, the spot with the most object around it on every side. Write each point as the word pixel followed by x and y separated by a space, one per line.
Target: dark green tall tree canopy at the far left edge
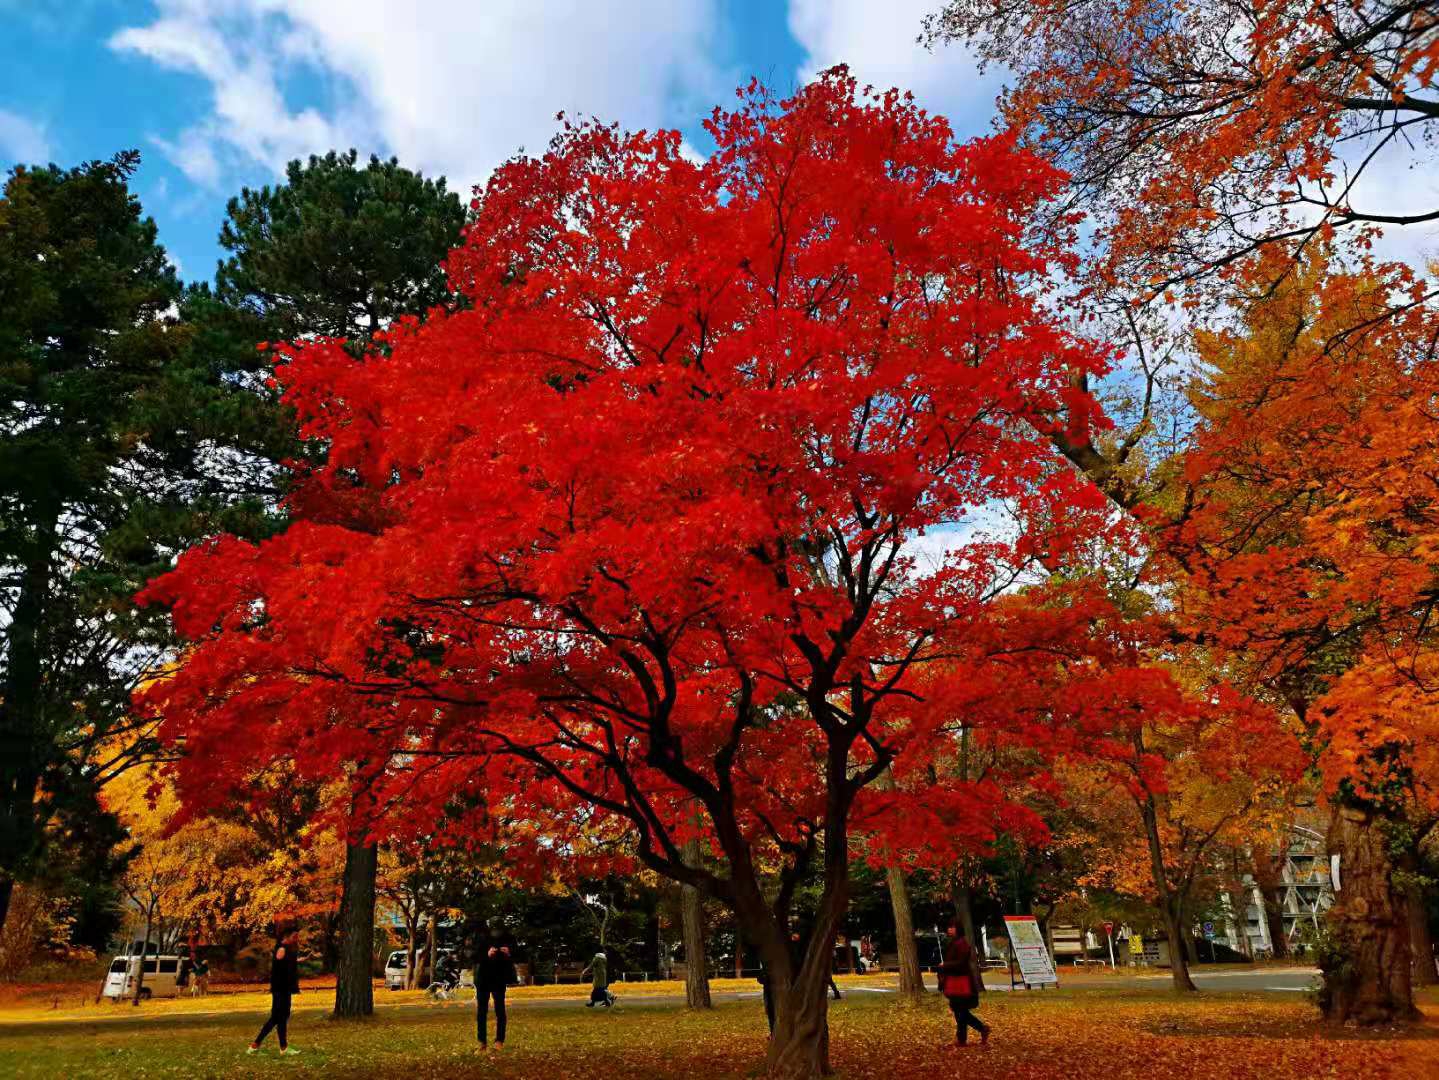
pixel 107 468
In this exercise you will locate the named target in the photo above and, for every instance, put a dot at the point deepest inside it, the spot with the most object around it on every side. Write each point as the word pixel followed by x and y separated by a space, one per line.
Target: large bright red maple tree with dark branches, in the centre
pixel 622 540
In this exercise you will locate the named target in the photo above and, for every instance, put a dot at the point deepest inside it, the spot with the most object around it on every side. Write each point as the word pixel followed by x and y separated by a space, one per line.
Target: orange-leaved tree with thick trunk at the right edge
pixel 1306 534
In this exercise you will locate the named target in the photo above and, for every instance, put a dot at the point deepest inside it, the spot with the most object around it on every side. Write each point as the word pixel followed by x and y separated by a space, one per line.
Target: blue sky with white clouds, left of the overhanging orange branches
pixel 219 94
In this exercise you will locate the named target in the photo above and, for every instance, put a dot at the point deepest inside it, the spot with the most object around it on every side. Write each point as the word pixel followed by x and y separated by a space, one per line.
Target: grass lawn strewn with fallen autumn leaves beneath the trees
pixel 1084 1033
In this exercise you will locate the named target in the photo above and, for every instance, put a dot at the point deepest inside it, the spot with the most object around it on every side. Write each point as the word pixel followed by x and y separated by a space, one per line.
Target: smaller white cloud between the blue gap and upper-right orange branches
pixel 880 44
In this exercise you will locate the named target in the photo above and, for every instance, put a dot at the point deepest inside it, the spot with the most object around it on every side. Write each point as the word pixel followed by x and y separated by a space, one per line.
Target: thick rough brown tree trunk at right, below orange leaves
pixel 1368 970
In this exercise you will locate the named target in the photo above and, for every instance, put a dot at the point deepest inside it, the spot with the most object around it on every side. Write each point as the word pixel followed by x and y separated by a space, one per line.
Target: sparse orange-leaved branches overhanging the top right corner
pixel 1204 132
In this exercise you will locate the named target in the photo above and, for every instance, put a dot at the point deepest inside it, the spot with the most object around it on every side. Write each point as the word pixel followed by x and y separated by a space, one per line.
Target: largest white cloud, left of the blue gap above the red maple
pixel 451 87
